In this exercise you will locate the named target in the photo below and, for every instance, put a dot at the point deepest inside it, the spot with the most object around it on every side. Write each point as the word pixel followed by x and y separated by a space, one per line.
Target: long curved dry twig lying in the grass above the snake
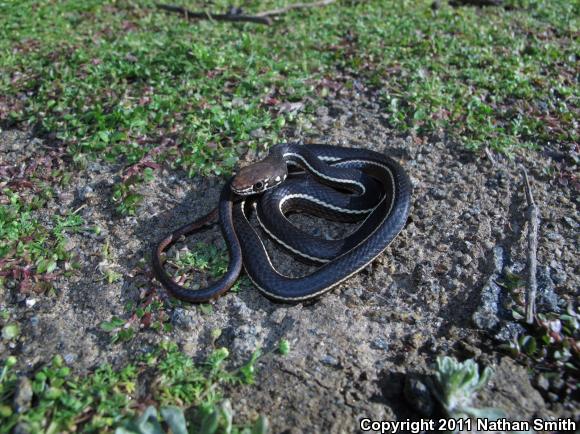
pixel 259 18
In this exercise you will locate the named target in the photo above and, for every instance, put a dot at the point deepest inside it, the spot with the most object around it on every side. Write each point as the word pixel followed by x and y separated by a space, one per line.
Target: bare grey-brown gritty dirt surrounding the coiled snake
pixel 433 292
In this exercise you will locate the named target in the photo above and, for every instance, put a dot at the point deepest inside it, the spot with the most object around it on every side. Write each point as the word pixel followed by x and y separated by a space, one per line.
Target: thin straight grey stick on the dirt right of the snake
pixel 533 215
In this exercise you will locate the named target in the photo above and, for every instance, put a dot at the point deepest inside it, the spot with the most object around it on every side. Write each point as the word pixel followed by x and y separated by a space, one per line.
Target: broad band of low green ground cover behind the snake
pixel 123 81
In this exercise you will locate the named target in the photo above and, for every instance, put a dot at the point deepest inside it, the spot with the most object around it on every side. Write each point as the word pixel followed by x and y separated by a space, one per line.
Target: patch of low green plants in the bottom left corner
pixel 108 398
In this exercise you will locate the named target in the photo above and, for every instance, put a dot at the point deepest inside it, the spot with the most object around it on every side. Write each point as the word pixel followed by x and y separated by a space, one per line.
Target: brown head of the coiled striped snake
pixel 258 177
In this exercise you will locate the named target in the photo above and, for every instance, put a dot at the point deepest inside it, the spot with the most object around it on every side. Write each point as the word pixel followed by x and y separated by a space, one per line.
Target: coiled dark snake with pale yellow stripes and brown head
pixel 339 183
